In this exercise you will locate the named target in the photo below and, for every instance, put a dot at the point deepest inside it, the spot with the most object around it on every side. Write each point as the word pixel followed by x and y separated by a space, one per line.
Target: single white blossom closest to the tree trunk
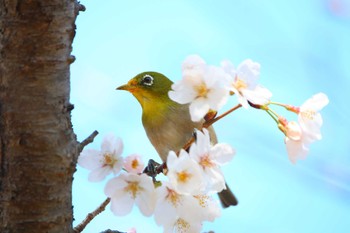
pixel 107 160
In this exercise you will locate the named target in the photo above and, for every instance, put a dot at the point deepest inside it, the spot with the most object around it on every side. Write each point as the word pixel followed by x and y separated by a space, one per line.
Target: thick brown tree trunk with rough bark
pixel 38 147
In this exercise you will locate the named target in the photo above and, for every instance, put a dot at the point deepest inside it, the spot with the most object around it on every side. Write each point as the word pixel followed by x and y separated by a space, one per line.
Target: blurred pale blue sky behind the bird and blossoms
pixel 303 48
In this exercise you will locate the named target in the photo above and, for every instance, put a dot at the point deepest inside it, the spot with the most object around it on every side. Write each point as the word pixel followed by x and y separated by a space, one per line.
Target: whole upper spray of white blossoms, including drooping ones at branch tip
pixel 207 88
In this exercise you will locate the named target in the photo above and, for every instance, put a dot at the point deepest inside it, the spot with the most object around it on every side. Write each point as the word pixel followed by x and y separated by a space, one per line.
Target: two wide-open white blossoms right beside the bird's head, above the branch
pixel 207 87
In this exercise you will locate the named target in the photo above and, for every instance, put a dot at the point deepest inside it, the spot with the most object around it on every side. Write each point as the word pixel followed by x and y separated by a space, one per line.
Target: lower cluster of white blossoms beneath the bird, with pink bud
pixel 183 201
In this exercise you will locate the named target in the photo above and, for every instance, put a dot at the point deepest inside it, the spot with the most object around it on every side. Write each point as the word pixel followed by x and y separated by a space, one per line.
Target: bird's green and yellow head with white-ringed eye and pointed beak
pixel 149 88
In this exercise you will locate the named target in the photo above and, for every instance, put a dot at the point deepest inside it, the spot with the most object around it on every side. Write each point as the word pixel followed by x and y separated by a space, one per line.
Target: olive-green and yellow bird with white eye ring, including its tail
pixel 168 124
